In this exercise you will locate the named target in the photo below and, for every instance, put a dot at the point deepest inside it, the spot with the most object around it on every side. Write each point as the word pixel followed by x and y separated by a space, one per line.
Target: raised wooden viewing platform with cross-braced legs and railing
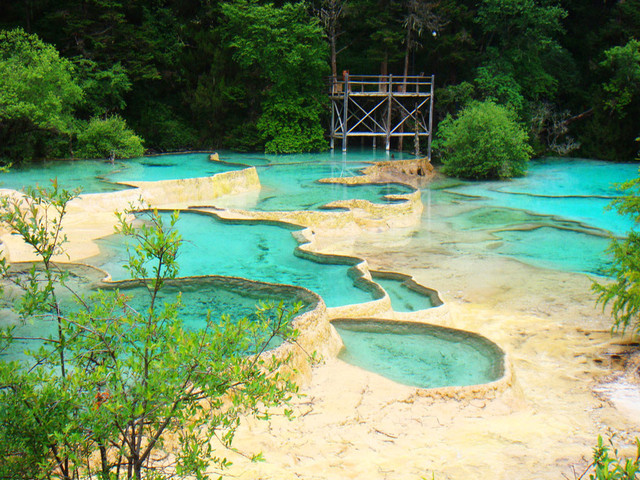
pixel 381 106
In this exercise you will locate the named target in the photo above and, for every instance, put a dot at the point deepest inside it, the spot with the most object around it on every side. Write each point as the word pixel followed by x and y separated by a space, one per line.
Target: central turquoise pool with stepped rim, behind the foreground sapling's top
pixel 255 251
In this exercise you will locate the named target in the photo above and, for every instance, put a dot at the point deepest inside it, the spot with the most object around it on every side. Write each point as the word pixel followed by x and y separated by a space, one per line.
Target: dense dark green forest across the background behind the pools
pixel 252 75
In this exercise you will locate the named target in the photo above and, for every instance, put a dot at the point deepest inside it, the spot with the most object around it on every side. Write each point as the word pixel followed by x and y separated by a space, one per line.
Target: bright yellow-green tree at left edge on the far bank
pixel 37 96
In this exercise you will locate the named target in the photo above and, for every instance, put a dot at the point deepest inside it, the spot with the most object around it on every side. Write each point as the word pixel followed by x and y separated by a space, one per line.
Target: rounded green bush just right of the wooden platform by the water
pixel 484 142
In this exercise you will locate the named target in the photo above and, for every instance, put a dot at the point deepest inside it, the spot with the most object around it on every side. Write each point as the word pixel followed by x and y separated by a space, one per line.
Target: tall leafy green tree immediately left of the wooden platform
pixel 286 47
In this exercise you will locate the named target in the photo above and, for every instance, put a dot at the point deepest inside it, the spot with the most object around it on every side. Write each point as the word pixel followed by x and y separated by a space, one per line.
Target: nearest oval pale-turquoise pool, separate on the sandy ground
pixel 419 355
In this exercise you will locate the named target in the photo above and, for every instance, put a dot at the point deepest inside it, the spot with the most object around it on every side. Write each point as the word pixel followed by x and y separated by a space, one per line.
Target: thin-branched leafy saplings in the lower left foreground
pixel 102 396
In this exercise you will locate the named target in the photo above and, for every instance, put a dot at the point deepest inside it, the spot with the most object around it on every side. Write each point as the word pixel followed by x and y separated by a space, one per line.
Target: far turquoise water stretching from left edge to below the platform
pixel 289 182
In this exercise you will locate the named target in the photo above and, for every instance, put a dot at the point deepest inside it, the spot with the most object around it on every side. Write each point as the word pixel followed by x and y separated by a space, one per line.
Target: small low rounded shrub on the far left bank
pixel 109 138
